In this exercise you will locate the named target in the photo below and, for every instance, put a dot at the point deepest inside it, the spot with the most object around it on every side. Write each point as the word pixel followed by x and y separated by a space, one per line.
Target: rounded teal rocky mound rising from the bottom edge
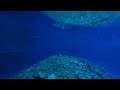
pixel 63 67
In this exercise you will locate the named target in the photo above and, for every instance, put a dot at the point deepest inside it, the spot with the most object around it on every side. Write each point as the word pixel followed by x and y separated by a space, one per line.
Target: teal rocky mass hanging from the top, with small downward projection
pixel 84 18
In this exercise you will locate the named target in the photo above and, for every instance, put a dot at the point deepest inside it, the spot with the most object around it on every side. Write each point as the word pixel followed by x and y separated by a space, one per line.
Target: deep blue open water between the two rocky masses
pixel 28 37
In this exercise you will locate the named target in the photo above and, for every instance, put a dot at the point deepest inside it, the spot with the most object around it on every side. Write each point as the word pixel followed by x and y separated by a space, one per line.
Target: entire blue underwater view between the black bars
pixel 59 44
